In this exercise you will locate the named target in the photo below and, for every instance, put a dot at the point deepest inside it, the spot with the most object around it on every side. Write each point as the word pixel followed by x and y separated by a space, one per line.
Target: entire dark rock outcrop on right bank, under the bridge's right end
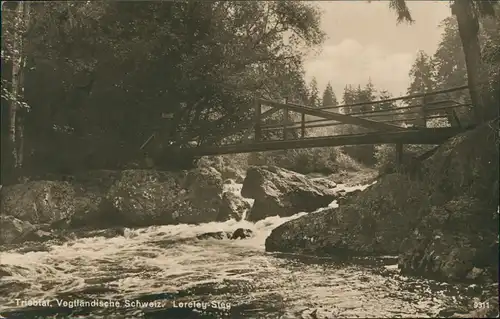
pixel 443 221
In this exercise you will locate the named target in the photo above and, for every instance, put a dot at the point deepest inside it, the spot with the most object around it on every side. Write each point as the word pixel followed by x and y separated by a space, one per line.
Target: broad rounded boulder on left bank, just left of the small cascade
pixel 148 197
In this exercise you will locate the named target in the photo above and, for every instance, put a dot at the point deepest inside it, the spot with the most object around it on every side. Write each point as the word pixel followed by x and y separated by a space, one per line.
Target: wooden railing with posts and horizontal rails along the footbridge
pixel 417 114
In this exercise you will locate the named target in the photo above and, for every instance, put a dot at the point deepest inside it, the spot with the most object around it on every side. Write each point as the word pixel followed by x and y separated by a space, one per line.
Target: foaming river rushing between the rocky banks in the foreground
pixel 165 272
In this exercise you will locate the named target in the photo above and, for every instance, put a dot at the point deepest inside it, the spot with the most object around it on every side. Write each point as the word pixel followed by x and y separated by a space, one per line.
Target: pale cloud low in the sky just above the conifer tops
pixel 350 62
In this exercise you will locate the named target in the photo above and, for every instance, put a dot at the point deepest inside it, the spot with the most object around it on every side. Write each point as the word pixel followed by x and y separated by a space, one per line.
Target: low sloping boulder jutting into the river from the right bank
pixel 374 221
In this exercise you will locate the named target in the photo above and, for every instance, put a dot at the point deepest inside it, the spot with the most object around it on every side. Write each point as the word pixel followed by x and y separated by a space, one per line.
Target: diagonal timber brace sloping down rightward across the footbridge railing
pixel 346 119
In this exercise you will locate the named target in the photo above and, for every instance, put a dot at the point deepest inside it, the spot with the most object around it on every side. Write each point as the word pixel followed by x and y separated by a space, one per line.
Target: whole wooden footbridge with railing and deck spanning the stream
pixel 353 124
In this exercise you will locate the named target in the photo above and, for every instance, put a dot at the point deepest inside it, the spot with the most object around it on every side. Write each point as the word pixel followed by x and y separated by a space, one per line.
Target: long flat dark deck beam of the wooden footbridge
pixel 410 136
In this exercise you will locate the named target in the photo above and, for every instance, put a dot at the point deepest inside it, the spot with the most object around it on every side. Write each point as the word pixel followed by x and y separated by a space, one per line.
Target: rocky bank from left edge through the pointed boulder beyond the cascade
pixel 111 201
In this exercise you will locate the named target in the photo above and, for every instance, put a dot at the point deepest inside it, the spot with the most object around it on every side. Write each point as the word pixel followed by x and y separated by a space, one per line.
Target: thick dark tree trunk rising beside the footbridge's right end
pixel 468 27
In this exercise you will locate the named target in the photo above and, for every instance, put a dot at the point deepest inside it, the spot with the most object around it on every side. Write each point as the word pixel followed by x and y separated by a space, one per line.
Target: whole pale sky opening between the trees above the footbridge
pixel 364 41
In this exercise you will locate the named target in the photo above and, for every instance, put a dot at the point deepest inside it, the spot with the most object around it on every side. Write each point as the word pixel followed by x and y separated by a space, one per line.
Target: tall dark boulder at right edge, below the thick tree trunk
pixel 458 237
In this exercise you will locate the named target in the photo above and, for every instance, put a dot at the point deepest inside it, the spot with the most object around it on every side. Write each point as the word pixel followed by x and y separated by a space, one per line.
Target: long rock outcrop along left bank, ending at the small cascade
pixel 104 199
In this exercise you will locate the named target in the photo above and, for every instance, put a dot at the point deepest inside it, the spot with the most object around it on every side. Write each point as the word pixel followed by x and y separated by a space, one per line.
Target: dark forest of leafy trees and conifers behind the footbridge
pixel 84 84
